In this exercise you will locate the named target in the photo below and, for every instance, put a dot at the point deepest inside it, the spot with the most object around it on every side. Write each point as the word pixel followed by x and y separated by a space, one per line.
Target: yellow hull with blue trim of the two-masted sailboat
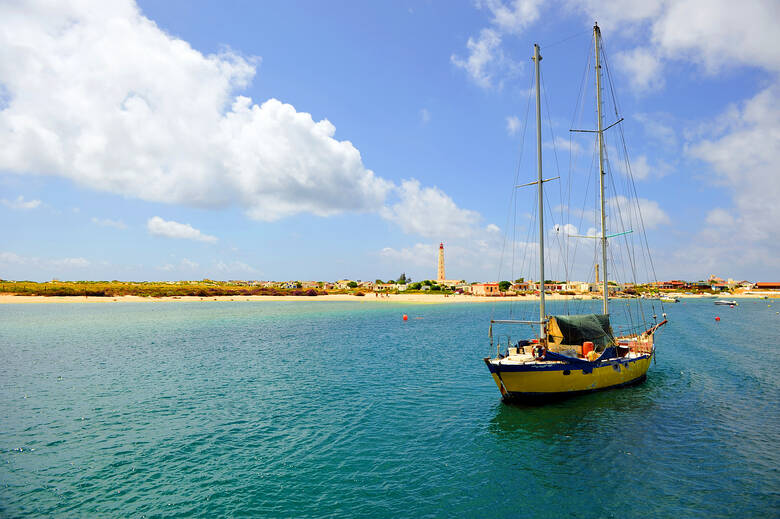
pixel 550 379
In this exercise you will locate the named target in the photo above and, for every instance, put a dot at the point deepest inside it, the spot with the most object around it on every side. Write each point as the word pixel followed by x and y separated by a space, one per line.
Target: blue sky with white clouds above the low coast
pixel 328 140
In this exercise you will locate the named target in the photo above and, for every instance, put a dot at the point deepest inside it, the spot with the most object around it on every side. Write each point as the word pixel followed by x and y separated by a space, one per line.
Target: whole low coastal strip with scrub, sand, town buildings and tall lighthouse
pixel 403 284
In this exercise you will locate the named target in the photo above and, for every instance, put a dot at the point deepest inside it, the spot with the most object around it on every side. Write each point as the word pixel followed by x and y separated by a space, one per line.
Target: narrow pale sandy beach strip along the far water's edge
pixel 368 298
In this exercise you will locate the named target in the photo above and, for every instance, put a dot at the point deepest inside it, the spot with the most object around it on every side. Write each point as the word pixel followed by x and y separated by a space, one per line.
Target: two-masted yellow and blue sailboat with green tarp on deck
pixel 571 354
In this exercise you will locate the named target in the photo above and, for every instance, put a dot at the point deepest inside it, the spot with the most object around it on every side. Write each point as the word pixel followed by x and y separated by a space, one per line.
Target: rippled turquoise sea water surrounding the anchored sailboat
pixel 311 409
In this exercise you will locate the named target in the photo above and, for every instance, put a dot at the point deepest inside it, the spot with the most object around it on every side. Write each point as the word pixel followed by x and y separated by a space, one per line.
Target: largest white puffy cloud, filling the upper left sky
pixel 98 94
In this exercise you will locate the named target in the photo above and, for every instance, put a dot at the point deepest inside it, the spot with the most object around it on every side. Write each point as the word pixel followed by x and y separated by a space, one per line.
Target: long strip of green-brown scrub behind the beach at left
pixel 205 288
